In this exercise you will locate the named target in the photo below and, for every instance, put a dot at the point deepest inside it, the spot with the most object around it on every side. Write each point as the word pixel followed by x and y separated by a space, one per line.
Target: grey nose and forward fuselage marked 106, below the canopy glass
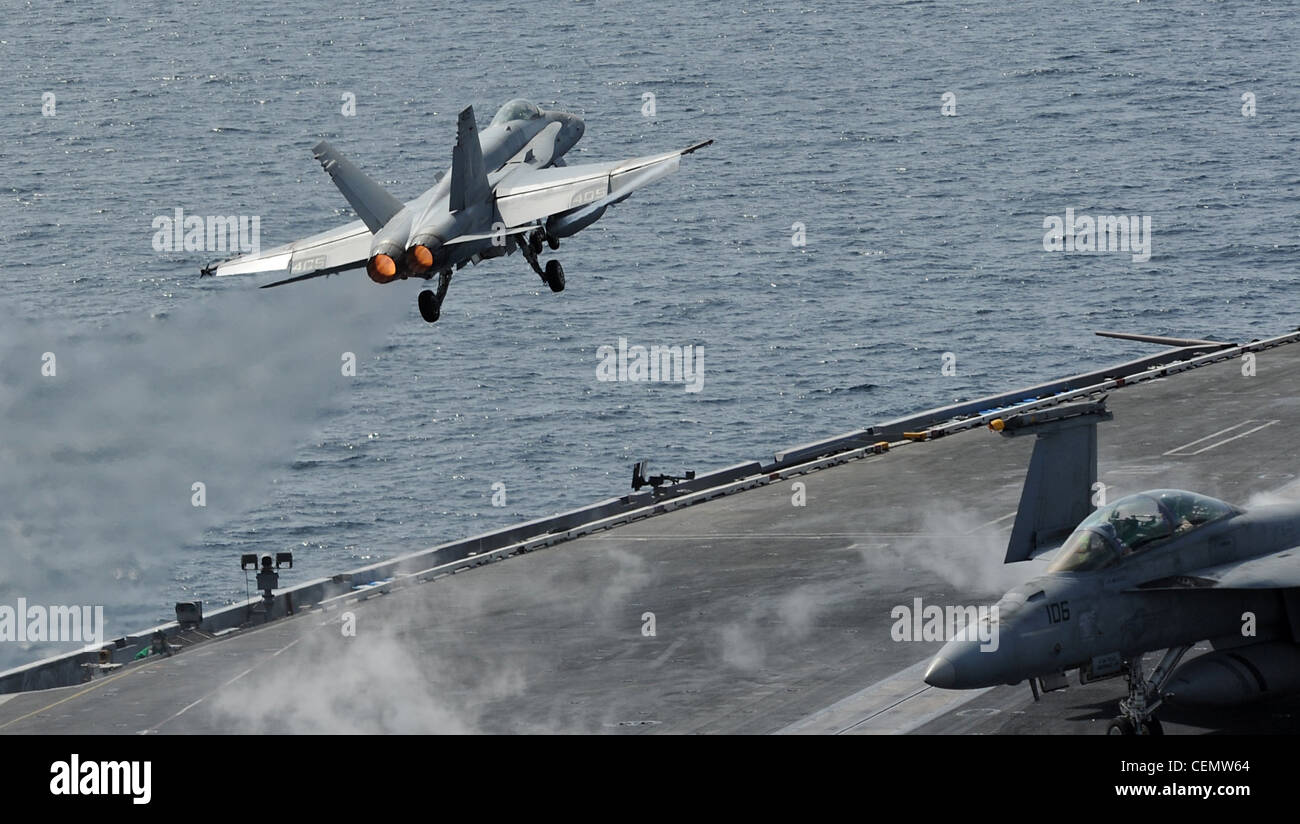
pixel 1072 618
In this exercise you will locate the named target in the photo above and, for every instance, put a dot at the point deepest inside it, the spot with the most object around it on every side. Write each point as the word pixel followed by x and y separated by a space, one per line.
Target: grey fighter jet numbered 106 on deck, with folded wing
pixel 1162 570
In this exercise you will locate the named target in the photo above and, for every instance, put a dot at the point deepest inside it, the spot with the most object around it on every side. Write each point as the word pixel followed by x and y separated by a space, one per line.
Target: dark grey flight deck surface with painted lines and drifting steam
pixel 766 617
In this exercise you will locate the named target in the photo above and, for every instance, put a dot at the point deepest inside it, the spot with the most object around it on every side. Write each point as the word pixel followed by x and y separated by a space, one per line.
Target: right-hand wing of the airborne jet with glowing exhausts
pixel 530 196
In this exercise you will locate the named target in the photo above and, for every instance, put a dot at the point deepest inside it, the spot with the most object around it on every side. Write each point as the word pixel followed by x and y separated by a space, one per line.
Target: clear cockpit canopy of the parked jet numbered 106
pixel 1133 524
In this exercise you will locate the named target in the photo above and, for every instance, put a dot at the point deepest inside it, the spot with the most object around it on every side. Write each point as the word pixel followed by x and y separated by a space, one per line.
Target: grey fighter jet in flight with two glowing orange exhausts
pixel 509 189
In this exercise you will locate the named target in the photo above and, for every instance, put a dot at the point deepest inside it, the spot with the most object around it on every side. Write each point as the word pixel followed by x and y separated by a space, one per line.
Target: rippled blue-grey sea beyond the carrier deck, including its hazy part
pixel 925 236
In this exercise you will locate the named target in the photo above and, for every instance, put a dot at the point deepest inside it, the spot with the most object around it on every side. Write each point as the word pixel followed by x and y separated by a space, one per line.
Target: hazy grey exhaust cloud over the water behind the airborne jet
pixel 98 461
